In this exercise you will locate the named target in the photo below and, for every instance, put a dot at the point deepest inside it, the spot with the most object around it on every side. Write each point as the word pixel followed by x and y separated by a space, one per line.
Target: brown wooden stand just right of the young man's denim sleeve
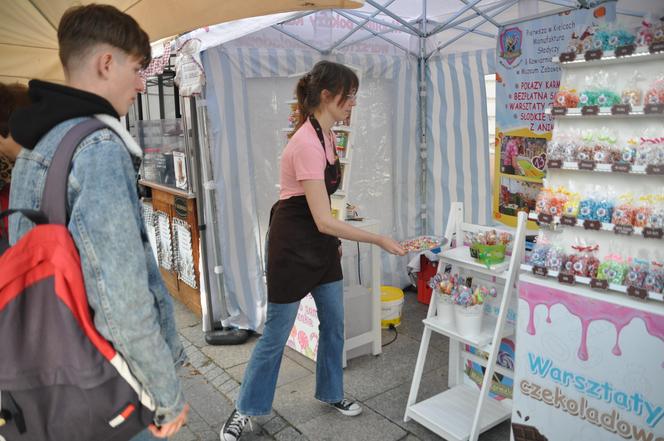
pixel 178 204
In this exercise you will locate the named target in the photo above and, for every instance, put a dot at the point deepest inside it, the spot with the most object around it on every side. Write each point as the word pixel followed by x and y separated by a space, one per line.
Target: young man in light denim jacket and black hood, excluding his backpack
pixel 102 51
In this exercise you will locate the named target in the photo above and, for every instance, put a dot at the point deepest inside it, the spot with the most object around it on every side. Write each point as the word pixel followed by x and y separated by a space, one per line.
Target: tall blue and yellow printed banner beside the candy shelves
pixel 526 81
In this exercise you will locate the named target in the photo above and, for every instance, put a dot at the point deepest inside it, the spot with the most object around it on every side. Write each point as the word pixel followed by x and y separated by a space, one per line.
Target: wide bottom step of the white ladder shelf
pixel 450 414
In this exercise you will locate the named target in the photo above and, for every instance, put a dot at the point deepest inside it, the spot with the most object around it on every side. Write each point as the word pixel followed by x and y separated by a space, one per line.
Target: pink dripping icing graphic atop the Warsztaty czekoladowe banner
pixel 587 310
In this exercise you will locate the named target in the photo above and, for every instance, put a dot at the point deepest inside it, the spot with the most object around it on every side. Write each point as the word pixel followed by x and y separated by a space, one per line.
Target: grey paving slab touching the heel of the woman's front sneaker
pixel 295 402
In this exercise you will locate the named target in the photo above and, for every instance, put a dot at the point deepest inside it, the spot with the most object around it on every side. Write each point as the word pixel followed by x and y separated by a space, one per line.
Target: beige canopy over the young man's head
pixel 28 41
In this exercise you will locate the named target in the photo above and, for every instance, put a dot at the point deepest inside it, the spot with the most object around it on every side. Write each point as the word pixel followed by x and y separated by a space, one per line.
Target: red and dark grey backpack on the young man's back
pixel 60 380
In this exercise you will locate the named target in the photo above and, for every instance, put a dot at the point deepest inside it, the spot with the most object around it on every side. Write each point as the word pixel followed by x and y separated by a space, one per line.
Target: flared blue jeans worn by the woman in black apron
pixel 260 378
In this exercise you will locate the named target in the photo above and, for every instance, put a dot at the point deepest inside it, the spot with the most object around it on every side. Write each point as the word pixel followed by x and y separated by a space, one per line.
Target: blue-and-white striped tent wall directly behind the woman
pixel 237 160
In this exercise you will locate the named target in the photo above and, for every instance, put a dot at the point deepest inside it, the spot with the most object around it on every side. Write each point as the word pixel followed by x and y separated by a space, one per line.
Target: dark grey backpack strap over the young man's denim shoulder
pixel 54 196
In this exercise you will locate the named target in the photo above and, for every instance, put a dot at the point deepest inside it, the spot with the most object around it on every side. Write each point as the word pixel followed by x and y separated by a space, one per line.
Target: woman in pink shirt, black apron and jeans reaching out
pixel 303 250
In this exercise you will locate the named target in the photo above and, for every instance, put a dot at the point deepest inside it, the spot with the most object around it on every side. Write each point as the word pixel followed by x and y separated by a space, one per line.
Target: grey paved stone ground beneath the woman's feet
pixel 212 380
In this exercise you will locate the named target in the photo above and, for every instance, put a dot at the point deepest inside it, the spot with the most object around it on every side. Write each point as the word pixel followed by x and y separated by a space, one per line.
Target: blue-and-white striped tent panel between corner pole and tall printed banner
pixel 458 138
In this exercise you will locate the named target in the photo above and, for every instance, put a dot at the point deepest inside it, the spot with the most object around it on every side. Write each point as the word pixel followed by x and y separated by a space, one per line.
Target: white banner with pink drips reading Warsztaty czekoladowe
pixel 586 369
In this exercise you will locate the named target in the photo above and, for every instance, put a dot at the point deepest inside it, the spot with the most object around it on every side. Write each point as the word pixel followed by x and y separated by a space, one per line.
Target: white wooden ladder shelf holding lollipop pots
pixel 462 412
